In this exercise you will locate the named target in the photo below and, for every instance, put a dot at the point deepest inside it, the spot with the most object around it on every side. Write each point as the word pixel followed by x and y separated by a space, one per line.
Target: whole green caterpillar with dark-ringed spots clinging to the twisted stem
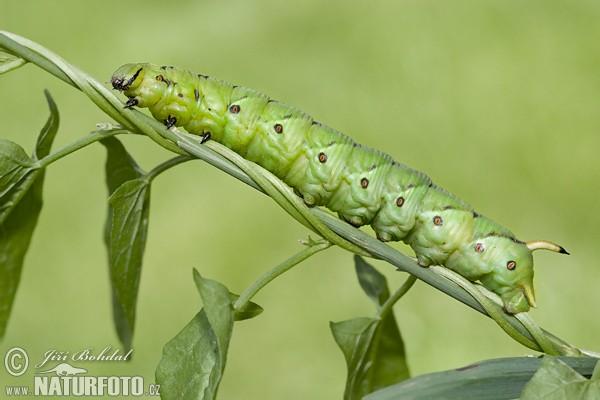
pixel 327 168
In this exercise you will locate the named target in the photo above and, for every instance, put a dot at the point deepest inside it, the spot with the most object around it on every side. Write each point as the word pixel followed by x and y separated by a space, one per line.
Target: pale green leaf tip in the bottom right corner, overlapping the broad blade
pixel 555 380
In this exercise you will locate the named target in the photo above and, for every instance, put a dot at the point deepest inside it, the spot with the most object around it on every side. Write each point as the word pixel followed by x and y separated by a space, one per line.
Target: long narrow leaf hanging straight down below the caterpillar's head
pixel 125 233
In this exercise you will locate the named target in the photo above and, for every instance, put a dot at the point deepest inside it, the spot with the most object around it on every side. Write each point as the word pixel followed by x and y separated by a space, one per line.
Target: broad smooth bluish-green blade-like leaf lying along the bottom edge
pixel 498 379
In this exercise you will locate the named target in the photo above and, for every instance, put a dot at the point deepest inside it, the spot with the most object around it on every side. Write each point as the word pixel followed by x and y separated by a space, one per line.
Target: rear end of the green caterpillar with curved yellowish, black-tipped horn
pixel 511 276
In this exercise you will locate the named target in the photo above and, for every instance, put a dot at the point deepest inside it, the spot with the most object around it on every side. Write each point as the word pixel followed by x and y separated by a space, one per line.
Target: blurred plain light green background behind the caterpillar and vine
pixel 499 101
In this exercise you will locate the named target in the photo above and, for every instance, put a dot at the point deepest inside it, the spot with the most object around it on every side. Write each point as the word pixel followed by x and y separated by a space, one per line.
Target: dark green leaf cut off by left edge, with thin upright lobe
pixel 20 205
